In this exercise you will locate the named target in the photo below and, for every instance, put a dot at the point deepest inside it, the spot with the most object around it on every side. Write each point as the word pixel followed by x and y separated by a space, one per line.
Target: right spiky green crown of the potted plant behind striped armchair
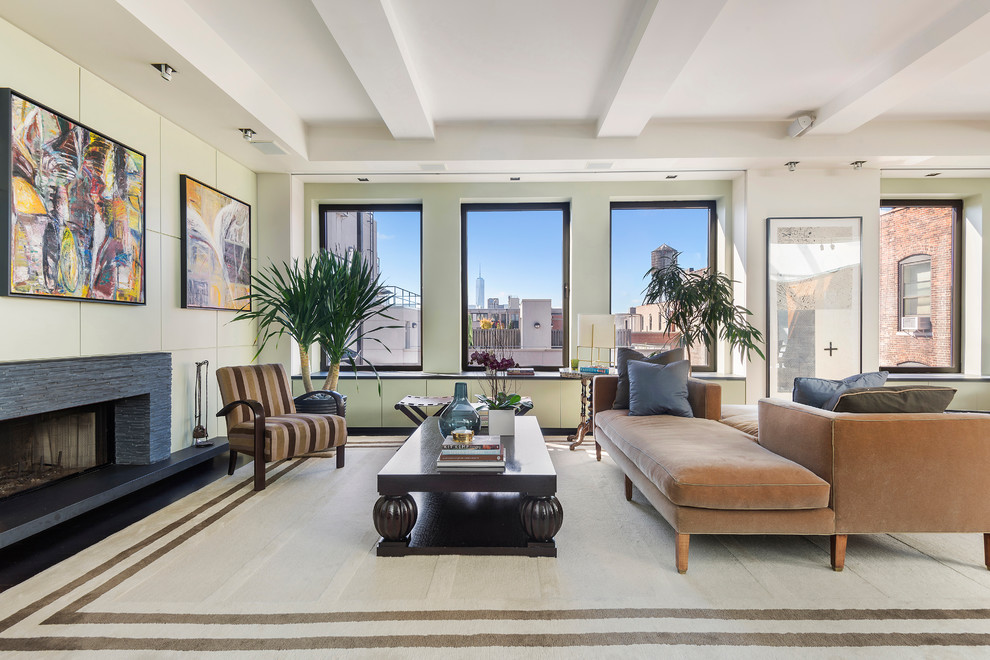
pixel 354 294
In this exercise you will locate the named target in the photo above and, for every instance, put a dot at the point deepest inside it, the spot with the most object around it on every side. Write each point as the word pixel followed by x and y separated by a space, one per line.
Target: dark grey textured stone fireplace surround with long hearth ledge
pixel 140 386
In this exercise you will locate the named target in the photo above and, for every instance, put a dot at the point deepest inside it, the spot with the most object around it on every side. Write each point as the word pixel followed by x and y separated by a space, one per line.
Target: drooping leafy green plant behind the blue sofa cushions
pixel 699 304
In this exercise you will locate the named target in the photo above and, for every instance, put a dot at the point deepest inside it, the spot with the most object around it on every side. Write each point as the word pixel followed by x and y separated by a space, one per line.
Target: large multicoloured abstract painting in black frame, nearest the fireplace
pixel 75 203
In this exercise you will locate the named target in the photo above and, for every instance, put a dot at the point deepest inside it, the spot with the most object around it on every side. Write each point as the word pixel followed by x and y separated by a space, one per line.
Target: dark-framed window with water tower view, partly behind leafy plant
pixel 647 235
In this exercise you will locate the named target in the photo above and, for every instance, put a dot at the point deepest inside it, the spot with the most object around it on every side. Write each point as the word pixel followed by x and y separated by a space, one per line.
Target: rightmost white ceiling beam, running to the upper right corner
pixel 955 39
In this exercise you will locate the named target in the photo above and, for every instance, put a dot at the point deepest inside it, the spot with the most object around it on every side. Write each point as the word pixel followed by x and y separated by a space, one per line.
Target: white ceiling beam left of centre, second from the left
pixel 368 34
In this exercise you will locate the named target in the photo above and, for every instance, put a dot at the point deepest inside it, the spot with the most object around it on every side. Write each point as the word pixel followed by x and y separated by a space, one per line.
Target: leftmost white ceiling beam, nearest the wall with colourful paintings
pixel 185 31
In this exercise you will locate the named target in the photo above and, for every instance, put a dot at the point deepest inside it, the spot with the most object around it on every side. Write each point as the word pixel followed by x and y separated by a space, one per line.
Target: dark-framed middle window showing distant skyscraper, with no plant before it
pixel 514 256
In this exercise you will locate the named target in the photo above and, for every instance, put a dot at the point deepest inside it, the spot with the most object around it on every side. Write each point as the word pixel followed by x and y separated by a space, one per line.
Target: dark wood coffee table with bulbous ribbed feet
pixel 423 511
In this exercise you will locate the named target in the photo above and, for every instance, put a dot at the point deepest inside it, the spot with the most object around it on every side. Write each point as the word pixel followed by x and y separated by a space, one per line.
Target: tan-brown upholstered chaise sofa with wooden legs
pixel 811 471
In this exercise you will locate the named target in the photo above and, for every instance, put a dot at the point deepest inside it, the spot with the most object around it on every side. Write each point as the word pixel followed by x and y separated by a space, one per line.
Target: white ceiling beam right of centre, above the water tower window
pixel 666 36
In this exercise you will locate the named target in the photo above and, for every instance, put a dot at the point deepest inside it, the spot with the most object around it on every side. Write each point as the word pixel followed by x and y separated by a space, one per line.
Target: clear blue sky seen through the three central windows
pixel 520 252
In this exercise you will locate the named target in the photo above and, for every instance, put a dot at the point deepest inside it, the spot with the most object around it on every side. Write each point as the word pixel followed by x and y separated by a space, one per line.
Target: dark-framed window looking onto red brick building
pixel 919 285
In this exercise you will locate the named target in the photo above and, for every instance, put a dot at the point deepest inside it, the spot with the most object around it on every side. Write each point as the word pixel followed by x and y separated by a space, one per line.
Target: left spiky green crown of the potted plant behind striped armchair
pixel 286 300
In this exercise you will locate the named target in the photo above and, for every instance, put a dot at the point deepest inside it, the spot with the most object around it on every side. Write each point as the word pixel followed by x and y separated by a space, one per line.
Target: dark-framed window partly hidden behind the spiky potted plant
pixel 388 237
